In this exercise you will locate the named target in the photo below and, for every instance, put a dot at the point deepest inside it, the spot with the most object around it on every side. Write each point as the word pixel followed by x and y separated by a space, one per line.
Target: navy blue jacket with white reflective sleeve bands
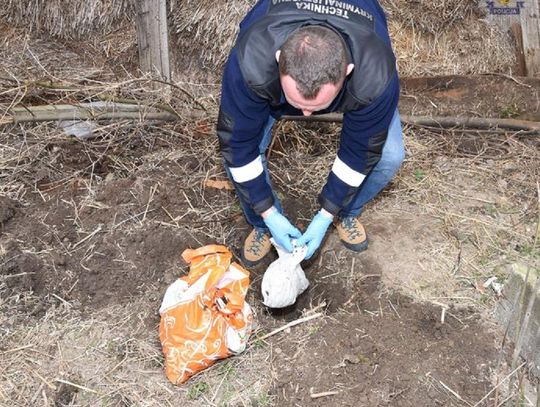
pixel 251 93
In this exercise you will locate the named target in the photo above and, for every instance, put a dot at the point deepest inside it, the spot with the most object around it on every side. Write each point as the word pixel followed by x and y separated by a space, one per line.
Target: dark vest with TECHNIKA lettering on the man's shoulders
pixel 373 58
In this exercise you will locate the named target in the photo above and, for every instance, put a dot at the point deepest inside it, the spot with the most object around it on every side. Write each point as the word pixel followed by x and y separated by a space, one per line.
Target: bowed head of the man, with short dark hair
pixel 312 66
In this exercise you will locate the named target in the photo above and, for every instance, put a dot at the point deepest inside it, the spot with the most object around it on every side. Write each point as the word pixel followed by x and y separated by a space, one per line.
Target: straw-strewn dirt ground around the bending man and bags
pixel 92 232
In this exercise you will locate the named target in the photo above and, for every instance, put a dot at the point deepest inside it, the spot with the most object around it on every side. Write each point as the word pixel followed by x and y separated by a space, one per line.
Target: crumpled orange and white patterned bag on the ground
pixel 204 316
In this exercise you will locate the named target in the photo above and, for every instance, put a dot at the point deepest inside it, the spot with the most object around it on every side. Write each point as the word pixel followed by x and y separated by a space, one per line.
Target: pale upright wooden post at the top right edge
pixel 530 27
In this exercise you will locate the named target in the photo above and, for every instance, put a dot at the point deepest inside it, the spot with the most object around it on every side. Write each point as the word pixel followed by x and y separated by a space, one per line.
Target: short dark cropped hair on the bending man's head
pixel 313 56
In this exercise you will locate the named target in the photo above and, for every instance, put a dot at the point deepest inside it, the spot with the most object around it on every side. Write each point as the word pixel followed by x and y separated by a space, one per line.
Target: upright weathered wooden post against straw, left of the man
pixel 152 36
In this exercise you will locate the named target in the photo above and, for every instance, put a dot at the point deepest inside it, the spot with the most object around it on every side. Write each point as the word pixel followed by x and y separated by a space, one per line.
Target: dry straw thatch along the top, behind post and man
pixel 440 37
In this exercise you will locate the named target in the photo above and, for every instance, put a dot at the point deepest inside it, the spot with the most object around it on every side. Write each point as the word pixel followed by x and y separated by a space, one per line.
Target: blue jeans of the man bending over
pixel 392 156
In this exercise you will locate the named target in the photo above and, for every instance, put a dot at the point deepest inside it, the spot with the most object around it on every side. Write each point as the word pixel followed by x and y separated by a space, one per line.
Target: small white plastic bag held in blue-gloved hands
pixel 284 279
